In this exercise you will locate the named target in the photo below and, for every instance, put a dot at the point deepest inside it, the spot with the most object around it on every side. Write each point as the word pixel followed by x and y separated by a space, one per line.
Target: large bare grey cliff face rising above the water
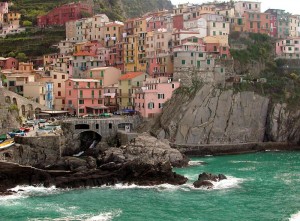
pixel 214 116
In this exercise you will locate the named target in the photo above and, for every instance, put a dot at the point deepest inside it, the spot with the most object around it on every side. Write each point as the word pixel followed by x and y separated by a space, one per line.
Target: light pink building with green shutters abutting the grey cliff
pixel 149 100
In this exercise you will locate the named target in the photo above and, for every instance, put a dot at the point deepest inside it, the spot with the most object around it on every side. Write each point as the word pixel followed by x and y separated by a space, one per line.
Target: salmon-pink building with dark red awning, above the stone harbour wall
pixel 84 96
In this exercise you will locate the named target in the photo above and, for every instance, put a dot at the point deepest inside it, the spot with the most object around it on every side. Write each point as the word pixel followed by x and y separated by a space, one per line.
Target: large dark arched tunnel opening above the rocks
pixel 89 139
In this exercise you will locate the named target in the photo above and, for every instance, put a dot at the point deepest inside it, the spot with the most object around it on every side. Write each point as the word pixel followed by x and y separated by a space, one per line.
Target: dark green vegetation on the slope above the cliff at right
pixel 275 79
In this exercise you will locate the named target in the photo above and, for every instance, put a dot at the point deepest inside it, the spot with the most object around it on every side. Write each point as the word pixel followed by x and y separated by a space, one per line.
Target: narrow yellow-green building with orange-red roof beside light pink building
pixel 128 83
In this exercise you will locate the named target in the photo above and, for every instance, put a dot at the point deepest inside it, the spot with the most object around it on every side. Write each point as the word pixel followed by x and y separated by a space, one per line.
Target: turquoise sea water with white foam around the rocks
pixel 260 186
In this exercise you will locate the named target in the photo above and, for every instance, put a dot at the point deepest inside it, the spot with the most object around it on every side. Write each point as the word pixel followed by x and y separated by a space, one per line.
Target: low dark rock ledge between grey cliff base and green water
pixel 232 149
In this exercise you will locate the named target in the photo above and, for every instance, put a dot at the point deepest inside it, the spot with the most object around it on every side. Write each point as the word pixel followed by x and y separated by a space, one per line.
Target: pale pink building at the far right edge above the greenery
pixel 288 48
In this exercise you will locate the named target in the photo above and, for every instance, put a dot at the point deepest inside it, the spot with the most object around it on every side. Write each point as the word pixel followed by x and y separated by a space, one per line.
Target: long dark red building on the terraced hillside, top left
pixel 63 14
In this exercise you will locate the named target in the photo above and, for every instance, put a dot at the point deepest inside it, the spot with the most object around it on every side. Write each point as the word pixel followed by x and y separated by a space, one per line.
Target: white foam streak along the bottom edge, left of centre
pixel 106 216
